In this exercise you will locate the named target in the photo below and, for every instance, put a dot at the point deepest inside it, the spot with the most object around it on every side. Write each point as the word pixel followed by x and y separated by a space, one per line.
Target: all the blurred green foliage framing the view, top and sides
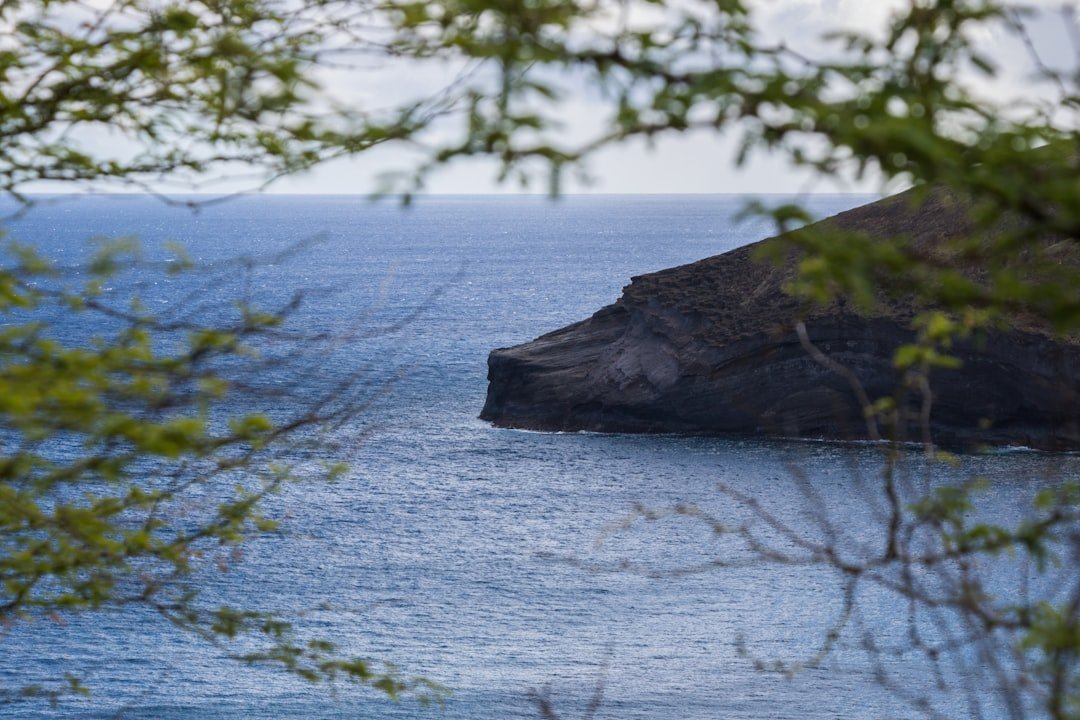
pixel 163 96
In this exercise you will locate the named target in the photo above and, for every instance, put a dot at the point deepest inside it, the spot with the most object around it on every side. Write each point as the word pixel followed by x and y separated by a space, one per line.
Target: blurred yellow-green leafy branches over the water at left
pixel 125 479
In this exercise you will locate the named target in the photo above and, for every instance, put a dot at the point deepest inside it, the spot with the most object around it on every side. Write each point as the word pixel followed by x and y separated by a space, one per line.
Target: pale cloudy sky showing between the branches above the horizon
pixel 692 164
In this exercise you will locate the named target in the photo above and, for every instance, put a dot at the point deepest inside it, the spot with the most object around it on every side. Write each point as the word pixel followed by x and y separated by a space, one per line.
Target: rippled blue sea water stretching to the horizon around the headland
pixel 494 561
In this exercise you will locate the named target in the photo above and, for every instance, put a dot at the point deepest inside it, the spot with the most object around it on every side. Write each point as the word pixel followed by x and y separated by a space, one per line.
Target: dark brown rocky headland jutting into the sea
pixel 709 348
